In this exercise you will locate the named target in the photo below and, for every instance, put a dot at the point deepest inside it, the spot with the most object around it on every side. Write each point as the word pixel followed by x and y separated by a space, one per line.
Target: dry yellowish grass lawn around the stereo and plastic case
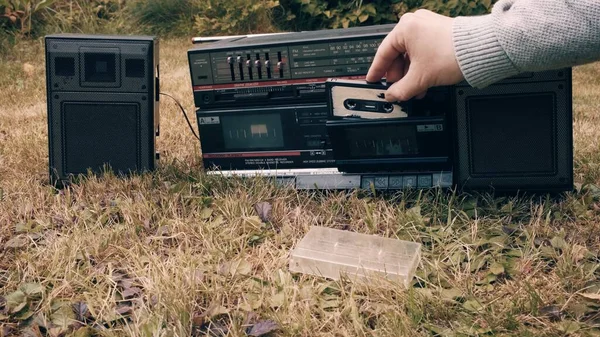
pixel 178 253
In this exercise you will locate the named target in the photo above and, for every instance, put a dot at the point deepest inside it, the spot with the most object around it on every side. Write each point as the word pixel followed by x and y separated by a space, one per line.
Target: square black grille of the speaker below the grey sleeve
pixel 513 134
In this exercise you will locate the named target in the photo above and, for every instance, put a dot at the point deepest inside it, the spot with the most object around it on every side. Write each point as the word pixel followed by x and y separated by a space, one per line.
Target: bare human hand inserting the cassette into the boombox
pixel 417 54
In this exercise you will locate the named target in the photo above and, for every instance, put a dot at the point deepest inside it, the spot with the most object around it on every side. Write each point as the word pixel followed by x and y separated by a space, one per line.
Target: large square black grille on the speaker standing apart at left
pixel 101 133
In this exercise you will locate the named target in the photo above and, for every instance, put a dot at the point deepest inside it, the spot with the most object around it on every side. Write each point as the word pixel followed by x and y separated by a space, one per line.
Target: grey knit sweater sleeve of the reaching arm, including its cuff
pixel 526 35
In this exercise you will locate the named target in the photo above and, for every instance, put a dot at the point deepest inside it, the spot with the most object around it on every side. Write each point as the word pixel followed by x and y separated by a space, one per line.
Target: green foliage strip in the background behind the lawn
pixel 34 18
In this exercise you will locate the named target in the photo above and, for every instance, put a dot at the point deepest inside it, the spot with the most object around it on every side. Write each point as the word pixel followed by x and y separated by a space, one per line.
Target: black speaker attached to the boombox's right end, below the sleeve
pixel 517 134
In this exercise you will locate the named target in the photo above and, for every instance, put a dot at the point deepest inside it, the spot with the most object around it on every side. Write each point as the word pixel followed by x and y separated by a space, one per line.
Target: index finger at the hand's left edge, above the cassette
pixel 389 50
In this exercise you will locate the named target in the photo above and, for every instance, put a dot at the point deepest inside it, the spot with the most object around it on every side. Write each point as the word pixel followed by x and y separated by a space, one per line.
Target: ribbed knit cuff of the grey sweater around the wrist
pixel 480 56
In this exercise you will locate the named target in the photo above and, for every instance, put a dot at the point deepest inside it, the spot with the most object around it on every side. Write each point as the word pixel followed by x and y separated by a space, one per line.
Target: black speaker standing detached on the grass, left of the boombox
pixel 103 111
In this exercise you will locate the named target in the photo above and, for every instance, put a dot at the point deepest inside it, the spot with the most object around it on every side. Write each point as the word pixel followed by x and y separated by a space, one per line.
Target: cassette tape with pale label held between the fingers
pixel 360 99
